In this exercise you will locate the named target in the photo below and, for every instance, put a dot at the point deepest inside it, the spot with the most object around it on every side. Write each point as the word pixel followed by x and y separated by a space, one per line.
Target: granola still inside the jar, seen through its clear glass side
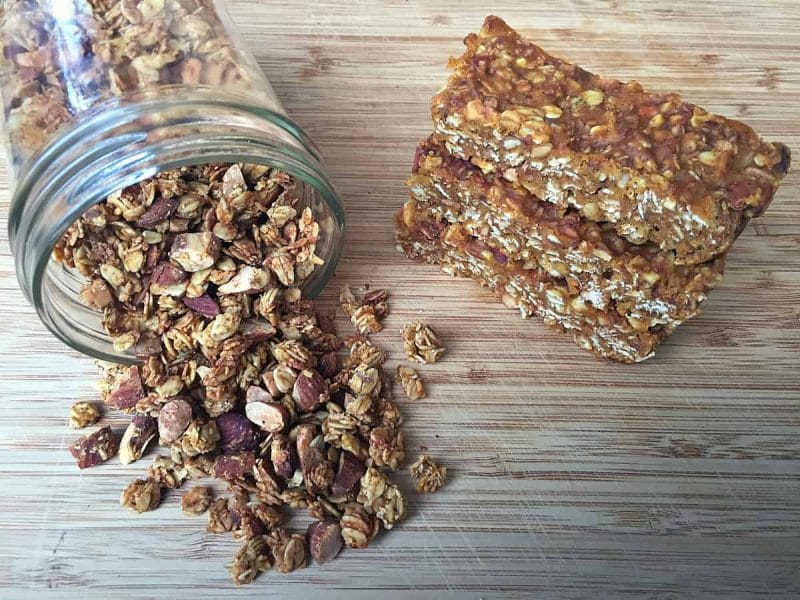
pixel 57 64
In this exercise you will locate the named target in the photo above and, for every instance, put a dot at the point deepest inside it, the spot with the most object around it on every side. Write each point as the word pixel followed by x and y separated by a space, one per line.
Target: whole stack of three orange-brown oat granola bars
pixel 602 208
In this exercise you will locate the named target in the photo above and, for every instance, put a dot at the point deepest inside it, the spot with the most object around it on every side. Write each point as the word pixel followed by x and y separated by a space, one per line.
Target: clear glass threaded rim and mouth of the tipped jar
pixel 123 143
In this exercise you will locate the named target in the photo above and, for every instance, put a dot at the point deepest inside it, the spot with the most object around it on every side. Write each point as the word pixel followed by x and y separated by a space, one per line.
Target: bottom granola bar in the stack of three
pixel 605 333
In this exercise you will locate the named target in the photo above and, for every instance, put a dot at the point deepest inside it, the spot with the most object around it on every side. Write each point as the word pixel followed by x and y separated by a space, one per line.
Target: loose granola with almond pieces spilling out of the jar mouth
pixel 197 274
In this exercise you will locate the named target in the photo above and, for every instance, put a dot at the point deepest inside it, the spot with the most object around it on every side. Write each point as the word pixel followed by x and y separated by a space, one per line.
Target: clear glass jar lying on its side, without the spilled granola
pixel 101 94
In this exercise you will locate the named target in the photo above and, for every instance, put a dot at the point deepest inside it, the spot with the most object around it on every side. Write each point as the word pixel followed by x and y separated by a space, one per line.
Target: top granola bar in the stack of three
pixel 659 168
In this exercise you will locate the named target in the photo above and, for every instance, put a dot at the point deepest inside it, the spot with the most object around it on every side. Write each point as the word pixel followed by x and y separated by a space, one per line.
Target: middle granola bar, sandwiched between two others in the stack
pixel 642 281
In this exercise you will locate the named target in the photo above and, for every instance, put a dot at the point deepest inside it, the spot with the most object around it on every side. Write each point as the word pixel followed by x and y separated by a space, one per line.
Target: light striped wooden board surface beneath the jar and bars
pixel 570 477
